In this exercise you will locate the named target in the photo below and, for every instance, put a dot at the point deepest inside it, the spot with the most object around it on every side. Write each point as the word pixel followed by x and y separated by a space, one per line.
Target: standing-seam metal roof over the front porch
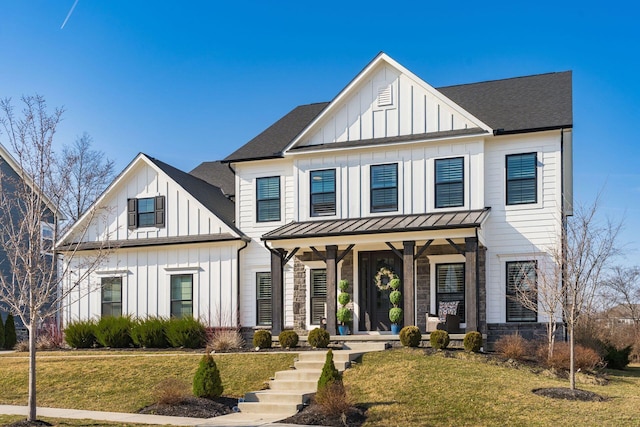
pixel 379 224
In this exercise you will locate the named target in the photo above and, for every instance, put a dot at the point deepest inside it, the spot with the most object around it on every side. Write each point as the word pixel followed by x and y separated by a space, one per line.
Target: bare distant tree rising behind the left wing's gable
pixel 89 173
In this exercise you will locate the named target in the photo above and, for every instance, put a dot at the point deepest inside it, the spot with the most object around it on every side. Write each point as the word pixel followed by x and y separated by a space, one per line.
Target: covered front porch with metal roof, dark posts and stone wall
pixel 428 252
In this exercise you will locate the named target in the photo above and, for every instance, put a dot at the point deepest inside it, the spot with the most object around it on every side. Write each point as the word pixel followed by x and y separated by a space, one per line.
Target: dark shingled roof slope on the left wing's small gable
pixel 209 195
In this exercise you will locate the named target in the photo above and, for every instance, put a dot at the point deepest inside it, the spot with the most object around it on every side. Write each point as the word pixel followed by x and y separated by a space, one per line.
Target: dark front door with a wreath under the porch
pixel 374 303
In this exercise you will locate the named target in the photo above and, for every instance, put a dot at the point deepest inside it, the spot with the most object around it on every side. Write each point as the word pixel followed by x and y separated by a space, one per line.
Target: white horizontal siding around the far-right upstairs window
pixel 520 232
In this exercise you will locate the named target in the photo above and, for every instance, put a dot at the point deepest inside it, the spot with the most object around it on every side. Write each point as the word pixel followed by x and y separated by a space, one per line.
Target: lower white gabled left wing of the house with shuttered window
pixel 176 249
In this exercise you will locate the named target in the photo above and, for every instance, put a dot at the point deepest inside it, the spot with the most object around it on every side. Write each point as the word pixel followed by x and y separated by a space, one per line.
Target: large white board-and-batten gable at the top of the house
pixel 385 100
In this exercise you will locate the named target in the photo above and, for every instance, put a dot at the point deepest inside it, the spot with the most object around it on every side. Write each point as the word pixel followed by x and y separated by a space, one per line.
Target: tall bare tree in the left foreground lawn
pixel 32 187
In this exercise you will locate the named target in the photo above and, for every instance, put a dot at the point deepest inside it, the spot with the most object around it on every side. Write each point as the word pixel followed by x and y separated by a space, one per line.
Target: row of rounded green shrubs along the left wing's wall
pixel 124 332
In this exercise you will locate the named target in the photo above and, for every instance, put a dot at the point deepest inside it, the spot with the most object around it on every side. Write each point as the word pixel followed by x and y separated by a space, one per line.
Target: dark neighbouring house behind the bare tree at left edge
pixel 11 179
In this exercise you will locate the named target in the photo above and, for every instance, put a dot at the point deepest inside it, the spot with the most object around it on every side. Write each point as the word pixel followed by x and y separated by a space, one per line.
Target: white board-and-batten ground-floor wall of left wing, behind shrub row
pixel 146 282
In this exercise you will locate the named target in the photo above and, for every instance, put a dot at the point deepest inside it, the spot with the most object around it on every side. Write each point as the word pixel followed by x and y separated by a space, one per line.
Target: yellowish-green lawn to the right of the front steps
pixel 404 387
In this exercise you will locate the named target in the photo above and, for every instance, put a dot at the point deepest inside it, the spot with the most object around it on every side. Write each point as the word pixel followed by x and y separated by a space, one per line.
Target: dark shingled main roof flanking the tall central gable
pixel 515 105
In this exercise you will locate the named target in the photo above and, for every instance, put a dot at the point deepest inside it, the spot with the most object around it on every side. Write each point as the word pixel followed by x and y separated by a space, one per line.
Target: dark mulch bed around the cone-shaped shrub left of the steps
pixel 195 407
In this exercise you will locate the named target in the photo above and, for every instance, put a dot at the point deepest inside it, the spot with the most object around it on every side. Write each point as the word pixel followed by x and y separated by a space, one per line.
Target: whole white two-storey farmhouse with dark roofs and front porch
pixel 459 191
